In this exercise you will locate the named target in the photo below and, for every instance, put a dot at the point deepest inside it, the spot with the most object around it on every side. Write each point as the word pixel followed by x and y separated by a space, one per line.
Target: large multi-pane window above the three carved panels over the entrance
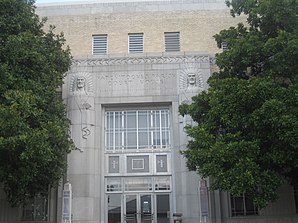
pixel 137 129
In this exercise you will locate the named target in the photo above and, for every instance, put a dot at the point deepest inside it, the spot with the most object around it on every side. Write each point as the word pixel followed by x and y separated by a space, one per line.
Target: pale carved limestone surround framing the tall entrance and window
pixel 149 80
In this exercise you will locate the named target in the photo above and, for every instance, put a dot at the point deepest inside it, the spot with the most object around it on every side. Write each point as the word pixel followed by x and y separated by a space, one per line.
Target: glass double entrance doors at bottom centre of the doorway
pixel 138 208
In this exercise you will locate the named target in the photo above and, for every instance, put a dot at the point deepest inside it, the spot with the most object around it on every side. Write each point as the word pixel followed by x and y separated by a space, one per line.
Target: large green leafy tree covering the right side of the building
pixel 246 137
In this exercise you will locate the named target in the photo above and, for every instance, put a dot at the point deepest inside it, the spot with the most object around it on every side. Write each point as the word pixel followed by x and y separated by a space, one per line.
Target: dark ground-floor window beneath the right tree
pixel 243 206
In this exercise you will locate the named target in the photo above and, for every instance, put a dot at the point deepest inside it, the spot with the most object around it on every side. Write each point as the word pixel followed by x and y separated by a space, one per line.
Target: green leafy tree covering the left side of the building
pixel 34 134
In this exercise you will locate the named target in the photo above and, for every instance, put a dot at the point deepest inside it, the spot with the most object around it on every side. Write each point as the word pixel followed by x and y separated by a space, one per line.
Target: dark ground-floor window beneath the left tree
pixel 36 209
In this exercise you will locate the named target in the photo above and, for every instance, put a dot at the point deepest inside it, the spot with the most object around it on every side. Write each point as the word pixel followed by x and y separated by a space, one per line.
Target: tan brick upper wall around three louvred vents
pixel 196 26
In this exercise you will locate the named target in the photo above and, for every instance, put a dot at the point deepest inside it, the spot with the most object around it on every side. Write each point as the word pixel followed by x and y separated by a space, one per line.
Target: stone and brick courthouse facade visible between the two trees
pixel 134 63
